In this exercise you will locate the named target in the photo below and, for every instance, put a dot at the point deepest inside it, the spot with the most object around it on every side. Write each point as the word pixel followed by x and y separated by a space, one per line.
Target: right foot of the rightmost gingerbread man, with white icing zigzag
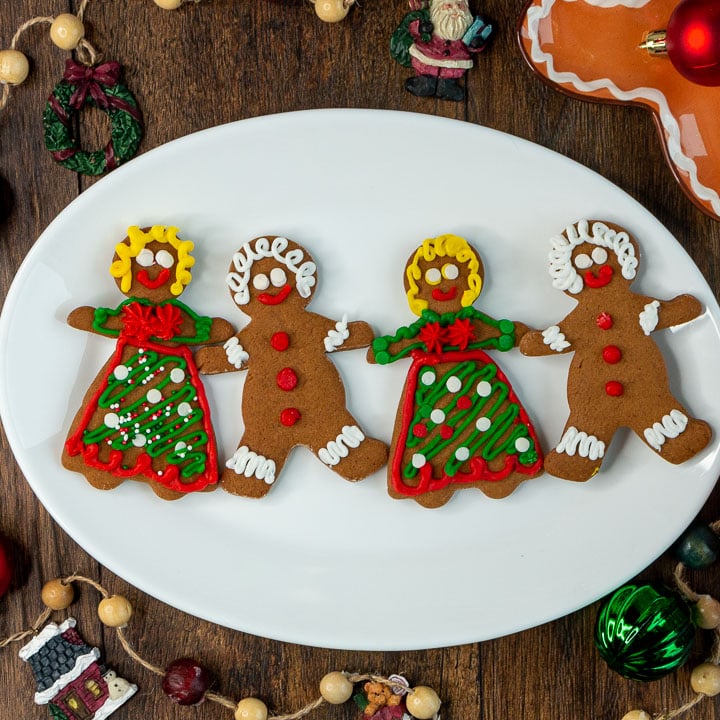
pixel 674 436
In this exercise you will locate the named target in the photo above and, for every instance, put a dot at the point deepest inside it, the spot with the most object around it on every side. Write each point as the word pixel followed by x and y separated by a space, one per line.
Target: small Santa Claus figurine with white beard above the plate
pixel 438 39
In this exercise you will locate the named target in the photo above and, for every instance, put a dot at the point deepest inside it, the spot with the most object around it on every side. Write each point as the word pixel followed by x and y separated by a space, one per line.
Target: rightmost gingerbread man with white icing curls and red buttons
pixel 617 377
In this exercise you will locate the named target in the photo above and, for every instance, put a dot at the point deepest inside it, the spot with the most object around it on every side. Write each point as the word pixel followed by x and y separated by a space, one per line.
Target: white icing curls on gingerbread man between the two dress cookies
pixel 262 247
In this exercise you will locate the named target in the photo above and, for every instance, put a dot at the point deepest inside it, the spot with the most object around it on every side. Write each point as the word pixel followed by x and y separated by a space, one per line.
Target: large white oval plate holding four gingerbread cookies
pixel 321 561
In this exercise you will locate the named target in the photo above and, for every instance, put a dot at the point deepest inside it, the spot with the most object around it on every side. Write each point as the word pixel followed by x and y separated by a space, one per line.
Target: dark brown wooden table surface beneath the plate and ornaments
pixel 224 60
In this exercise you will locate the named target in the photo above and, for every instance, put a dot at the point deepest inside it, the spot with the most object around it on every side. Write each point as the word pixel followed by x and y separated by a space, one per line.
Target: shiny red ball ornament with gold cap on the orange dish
pixel 692 41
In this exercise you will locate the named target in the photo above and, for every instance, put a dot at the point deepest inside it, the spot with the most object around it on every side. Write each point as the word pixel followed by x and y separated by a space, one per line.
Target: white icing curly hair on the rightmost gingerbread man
pixel 563 274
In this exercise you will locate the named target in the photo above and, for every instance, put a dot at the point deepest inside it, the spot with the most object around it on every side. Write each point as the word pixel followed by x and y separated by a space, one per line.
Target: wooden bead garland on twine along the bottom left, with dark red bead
pixel 115 611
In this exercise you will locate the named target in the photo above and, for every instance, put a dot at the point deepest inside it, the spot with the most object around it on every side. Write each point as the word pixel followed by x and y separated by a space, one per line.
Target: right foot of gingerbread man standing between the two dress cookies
pixel 351 454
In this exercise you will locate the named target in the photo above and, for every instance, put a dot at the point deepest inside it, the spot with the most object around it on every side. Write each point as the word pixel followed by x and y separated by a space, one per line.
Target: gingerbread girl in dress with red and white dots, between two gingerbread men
pixel 459 423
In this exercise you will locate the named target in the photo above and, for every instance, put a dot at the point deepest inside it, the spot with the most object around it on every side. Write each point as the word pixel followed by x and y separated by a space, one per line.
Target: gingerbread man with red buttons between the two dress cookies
pixel 293 394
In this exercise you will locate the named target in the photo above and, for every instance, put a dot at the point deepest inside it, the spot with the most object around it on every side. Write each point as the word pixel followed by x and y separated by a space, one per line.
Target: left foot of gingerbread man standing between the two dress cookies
pixel 251 471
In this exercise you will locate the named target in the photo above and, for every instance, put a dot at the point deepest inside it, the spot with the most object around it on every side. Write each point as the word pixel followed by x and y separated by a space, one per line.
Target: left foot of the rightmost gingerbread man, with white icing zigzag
pixel 579 454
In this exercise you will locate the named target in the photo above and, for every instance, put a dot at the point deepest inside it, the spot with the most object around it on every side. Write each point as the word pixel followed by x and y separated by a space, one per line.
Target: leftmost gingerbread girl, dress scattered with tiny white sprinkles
pixel 146 416
